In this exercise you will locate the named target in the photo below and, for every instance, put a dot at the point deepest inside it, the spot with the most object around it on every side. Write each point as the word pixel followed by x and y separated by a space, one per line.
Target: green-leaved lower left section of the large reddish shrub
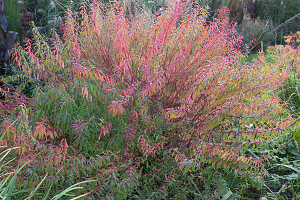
pixel 75 117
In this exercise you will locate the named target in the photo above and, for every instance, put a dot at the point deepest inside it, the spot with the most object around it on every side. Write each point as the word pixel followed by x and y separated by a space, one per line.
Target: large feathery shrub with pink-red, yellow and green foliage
pixel 135 70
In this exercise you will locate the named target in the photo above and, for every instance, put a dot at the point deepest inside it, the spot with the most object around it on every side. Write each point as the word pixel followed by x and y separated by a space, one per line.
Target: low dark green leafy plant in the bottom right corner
pixel 283 167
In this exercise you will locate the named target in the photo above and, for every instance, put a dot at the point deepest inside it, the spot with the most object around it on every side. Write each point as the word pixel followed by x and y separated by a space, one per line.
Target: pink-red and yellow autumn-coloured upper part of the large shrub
pixel 189 68
